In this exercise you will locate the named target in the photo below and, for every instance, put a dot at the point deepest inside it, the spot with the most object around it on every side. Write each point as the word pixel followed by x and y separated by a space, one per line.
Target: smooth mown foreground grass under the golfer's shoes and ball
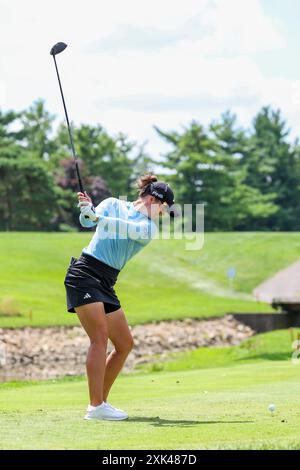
pixel 220 408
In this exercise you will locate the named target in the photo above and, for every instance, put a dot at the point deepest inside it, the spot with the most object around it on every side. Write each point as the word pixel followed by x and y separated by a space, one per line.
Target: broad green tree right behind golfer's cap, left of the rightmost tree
pixel 206 170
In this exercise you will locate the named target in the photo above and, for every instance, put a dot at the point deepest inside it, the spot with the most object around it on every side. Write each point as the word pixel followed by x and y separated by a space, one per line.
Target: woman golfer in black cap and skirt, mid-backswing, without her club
pixel 123 229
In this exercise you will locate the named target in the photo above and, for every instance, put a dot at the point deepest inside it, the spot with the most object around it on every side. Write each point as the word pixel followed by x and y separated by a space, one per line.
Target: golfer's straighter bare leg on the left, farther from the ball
pixel 92 318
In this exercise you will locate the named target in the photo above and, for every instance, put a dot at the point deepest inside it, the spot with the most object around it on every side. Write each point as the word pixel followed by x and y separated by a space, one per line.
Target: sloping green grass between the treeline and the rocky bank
pixel 164 281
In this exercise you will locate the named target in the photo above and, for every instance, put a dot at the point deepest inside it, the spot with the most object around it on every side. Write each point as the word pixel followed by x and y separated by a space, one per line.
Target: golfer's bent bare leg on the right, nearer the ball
pixel 120 335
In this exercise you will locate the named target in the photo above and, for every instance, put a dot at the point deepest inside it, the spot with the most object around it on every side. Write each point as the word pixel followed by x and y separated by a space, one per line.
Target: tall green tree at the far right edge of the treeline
pixel 272 165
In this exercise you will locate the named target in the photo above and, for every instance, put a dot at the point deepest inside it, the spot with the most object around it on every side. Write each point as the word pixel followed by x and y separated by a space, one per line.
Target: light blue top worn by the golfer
pixel 121 232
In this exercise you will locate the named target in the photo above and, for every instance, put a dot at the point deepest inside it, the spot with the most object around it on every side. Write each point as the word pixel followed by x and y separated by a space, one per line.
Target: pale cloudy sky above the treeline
pixel 133 64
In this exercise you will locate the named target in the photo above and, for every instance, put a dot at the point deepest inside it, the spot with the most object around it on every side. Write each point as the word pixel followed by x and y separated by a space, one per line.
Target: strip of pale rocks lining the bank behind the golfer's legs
pixel 44 353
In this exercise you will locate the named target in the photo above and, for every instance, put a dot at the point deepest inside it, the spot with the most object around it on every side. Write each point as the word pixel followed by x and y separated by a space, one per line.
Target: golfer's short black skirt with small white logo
pixel 88 280
